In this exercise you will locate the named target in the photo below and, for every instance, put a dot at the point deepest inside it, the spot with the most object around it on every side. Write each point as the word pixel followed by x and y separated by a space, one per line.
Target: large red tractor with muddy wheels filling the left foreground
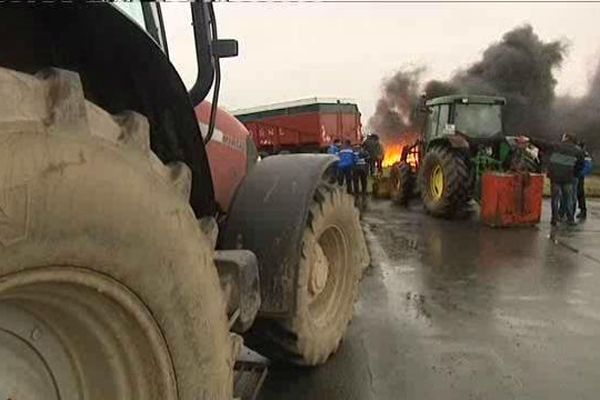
pixel 137 243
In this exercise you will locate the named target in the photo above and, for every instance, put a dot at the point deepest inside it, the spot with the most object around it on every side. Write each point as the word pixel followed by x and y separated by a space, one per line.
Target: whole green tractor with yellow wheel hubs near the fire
pixel 462 138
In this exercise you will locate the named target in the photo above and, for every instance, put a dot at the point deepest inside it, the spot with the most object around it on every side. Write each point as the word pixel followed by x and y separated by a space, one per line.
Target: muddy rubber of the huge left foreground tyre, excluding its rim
pixel 71 142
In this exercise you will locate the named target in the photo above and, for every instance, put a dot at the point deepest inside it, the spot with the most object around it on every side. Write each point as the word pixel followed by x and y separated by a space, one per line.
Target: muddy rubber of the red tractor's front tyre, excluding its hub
pixel 295 339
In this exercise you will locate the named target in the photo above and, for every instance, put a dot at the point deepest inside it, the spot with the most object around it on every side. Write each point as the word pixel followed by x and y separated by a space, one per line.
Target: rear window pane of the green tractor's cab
pixel 478 120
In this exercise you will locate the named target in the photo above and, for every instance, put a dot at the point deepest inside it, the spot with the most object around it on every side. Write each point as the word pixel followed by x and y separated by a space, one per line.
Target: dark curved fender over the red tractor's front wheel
pixel 268 216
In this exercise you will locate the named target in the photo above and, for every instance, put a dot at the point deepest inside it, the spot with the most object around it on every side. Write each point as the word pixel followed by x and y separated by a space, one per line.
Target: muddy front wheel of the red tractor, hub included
pixel 334 255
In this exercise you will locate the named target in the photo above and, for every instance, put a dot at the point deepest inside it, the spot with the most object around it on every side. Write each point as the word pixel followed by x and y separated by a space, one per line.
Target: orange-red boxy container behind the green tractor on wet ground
pixel 511 199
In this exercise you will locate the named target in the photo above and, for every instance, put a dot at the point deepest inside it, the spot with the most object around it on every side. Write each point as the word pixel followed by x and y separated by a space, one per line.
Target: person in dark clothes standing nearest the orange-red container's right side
pixel 563 160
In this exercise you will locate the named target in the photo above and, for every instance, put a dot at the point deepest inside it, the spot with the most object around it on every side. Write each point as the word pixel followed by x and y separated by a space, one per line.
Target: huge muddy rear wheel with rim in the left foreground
pixel 107 285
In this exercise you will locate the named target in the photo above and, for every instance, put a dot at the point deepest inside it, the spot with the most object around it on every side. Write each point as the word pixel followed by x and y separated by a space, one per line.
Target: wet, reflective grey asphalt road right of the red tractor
pixel 455 310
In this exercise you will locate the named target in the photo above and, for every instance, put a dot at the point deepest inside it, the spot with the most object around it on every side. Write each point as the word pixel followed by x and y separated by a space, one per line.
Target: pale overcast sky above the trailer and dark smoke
pixel 291 51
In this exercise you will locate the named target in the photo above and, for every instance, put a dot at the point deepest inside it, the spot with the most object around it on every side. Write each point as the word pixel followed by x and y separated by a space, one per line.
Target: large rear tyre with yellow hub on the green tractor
pixel 444 182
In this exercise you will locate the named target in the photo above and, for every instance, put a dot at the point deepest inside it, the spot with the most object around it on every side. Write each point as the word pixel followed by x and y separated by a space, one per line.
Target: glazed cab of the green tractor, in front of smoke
pixel 474 117
